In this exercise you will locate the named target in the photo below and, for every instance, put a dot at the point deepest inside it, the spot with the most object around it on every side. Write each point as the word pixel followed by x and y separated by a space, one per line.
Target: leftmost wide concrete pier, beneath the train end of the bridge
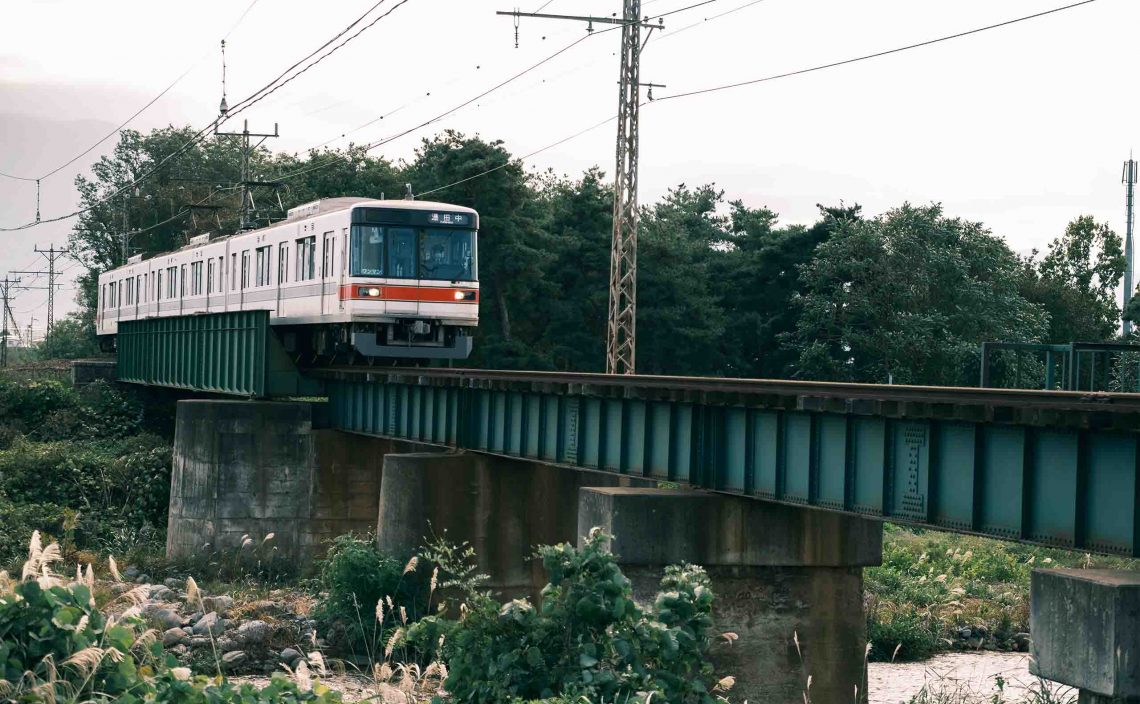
pixel 254 469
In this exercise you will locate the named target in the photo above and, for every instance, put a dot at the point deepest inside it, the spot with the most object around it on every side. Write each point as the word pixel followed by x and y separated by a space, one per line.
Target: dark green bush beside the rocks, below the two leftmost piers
pixel 355 578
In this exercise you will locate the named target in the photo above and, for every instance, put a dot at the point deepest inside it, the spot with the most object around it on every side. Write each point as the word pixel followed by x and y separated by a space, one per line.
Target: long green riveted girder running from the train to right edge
pixel 1052 469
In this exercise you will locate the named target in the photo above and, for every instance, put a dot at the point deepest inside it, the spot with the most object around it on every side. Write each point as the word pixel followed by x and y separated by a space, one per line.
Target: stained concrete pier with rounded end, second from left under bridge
pixel 503 507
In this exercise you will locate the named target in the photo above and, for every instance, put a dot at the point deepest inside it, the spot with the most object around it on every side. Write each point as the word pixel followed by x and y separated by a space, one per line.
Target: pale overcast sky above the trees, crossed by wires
pixel 1023 128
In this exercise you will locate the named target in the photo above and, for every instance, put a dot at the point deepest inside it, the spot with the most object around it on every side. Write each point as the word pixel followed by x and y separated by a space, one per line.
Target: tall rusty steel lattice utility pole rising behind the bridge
pixel 622 321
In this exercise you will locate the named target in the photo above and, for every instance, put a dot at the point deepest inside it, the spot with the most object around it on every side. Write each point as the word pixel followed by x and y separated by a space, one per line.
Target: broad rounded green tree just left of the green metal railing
pixel 908 298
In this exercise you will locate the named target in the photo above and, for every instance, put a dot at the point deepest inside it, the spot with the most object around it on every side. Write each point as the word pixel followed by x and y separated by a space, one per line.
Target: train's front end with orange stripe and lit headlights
pixel 413 284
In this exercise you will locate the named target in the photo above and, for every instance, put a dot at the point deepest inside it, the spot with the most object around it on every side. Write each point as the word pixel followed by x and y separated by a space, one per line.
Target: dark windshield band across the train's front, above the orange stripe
pixel 414 253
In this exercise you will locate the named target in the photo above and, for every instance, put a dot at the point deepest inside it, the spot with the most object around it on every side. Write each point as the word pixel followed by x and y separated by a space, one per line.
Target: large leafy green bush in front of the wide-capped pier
pixel 589 640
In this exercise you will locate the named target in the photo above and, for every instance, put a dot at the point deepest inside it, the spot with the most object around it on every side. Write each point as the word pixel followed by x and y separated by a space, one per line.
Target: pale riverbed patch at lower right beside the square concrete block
pixel 968 677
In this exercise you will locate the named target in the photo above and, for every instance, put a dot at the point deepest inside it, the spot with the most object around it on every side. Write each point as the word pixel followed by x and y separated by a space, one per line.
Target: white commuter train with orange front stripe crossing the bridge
pixel 386 279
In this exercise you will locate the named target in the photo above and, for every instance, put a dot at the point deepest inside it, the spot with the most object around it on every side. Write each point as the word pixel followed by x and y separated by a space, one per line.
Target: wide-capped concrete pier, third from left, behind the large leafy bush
pixel 788 582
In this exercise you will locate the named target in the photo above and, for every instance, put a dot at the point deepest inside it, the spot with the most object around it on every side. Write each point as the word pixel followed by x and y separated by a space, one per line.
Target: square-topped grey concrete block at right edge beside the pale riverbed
pixel 1086 628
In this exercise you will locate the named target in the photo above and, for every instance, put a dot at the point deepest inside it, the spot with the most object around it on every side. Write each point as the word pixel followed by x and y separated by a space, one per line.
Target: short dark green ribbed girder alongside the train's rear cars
pixel 234 354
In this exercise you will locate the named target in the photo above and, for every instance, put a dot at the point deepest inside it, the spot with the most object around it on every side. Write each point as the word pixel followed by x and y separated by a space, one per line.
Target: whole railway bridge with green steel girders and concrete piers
pixel 778 488
